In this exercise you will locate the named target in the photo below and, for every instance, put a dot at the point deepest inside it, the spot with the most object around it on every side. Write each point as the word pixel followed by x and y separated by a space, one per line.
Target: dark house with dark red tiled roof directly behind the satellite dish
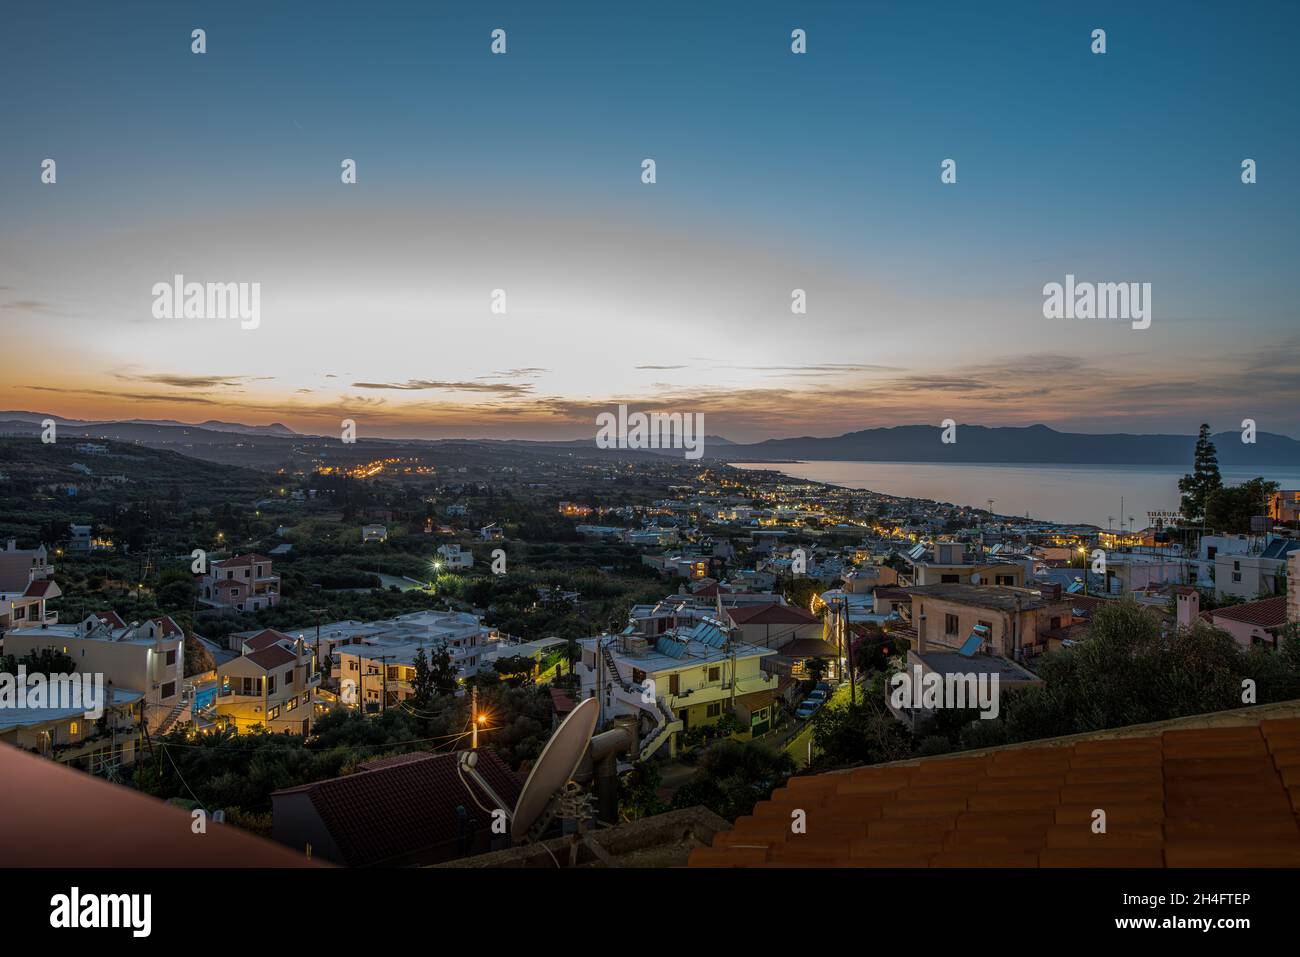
pixel 410 809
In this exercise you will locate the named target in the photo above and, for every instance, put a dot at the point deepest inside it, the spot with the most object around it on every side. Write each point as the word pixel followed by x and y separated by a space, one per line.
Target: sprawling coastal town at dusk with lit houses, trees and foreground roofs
pixel 356 622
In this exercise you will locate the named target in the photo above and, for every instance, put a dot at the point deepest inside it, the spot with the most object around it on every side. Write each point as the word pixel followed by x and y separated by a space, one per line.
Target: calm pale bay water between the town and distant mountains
pixel 1056 493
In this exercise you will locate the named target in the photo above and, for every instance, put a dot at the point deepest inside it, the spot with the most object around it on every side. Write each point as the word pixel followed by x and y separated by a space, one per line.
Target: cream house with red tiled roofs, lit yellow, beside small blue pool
pixel 274 685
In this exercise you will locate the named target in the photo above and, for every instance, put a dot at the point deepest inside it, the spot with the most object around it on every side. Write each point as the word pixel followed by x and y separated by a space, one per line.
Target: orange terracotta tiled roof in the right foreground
pixel 1191 798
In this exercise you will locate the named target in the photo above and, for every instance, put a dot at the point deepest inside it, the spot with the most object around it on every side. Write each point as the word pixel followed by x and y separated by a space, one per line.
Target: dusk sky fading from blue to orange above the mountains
pixel 523 172
